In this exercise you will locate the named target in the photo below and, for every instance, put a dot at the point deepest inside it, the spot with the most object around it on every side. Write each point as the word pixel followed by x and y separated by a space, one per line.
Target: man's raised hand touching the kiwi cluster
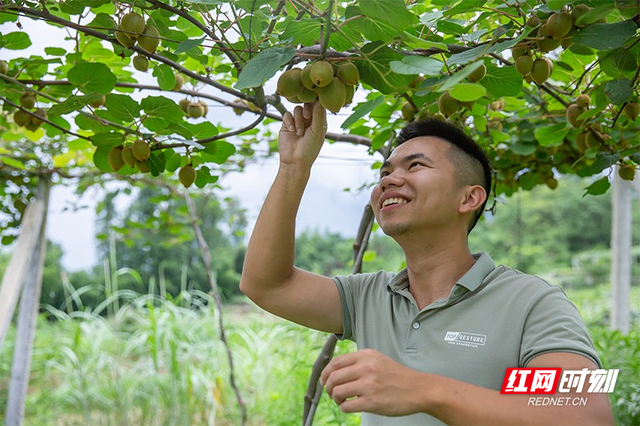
pixel 302 135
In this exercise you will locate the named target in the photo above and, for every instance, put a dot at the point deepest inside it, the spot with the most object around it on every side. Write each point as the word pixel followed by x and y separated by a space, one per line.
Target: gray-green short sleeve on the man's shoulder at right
pixel 554 324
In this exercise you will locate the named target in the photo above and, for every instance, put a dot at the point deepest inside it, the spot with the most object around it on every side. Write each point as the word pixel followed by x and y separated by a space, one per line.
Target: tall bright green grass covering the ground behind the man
pixel 160 362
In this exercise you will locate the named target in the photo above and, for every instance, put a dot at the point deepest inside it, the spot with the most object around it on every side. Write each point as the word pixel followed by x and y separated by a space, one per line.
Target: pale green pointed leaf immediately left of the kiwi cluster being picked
pixel 263 66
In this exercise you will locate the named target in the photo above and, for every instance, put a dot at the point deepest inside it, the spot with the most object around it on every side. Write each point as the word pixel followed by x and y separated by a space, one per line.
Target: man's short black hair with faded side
pixel 467 153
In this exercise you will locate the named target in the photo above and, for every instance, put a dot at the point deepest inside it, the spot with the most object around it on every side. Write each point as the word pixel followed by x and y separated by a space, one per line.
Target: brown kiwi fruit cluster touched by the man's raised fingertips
pixel 331 83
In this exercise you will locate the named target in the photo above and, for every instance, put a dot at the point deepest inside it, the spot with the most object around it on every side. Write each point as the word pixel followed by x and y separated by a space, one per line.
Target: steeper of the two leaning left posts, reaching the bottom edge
pixel 28 314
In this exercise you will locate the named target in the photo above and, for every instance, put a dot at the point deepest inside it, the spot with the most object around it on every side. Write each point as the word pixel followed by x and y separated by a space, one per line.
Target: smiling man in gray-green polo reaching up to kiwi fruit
pixel 435 339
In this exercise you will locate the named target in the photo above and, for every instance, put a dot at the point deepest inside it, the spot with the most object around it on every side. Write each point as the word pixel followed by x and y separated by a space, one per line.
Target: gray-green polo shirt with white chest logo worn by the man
pixel 494 318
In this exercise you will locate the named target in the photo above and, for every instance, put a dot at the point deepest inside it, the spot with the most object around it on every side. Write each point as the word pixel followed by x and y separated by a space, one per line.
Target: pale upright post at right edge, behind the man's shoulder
pixel 620 252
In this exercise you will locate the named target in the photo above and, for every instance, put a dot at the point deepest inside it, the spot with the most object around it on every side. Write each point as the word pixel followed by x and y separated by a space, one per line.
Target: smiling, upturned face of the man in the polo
pixel 418 189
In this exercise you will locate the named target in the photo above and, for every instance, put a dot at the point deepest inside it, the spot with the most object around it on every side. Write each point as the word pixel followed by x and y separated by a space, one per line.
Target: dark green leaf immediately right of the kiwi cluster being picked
pixel 375 69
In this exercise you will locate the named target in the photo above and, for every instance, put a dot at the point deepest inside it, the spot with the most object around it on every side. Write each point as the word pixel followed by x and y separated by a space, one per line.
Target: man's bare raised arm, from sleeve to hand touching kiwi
pixel 269 277
